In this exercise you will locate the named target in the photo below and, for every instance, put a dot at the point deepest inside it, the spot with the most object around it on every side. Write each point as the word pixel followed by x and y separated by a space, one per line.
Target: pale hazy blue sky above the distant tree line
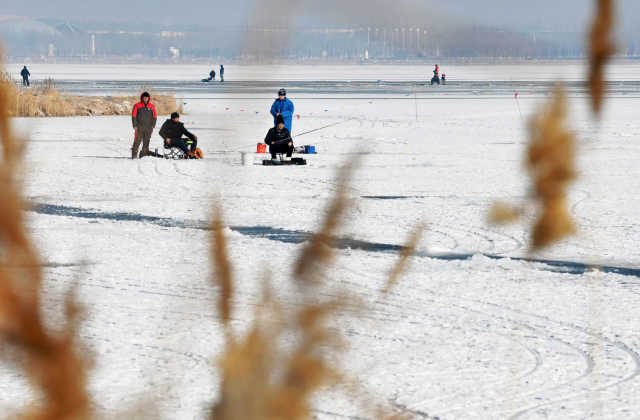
pixel 513 13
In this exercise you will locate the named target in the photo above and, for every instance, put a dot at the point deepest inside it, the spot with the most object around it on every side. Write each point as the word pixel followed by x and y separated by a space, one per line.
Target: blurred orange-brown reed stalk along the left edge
pixel 50 361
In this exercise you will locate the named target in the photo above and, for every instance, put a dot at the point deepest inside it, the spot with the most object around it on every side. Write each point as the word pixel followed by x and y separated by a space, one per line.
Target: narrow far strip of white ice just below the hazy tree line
pixel 626 70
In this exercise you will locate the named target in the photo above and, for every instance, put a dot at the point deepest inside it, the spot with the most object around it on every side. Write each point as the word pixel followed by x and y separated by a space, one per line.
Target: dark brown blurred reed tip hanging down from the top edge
pixel 601 48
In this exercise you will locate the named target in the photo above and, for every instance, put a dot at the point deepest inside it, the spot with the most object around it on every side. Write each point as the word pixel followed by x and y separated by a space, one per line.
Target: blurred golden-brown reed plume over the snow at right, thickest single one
pixel 550 161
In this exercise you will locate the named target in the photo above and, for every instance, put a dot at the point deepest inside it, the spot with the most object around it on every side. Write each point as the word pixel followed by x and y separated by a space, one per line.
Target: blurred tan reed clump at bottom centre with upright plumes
pixel 264 377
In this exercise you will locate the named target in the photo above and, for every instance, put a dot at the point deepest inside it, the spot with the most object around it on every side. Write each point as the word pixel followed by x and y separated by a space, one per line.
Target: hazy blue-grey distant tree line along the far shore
pixel 336 42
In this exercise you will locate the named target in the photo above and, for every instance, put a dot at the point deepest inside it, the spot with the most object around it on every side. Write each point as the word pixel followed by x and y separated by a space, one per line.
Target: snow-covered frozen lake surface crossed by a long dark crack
pixel 474 330
